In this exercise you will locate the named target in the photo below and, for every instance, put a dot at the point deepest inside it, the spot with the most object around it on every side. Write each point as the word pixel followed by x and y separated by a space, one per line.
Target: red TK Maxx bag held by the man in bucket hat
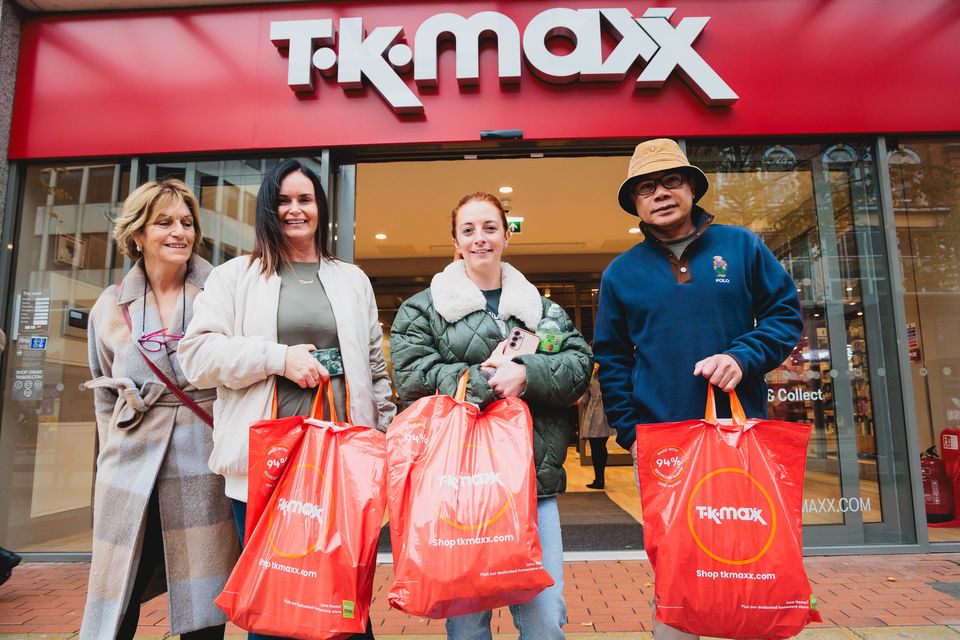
pixel 722 505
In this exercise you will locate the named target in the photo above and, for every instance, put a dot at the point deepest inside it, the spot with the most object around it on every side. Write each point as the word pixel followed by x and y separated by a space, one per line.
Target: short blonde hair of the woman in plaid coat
pixel 143 206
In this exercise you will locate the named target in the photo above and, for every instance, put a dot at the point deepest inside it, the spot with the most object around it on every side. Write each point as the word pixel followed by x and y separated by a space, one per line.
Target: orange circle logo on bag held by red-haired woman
pixel 472 499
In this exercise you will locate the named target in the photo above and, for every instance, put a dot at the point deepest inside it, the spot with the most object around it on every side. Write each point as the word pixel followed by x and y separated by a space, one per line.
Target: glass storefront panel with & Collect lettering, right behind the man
pixel 817 208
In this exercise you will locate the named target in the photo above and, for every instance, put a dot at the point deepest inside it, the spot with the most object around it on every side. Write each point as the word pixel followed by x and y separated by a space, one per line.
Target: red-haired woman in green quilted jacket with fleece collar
pixel 455 326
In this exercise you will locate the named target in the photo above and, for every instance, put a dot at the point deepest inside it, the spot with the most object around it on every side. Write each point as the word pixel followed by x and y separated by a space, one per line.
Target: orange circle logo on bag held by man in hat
pixel 731 516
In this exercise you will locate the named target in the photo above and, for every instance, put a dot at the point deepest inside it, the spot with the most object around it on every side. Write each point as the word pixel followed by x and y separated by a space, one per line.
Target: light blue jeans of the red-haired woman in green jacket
pixel 543 617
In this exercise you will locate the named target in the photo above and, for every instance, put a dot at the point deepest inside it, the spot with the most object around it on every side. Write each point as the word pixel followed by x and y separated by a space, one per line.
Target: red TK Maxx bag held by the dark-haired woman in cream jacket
pixel 307 569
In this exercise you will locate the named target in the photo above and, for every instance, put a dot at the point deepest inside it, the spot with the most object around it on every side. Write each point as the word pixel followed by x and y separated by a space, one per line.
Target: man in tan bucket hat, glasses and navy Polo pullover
pixel 694 303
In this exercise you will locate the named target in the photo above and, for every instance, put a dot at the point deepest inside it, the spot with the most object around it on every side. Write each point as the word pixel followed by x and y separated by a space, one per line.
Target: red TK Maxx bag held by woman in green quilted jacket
pixel 463 507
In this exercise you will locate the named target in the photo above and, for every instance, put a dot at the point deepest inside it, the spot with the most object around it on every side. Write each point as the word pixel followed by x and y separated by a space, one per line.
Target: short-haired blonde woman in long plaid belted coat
pixel 160 520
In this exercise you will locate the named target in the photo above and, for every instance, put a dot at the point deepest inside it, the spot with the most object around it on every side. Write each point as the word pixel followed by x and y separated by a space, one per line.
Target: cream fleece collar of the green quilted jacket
pixel 455 295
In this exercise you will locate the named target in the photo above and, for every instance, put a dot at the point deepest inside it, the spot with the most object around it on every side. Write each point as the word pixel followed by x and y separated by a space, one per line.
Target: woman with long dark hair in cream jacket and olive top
pixel 264 320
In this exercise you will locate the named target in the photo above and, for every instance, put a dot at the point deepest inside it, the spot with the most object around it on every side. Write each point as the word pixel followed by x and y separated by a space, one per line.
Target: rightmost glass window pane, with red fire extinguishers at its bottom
pixel 925 185
